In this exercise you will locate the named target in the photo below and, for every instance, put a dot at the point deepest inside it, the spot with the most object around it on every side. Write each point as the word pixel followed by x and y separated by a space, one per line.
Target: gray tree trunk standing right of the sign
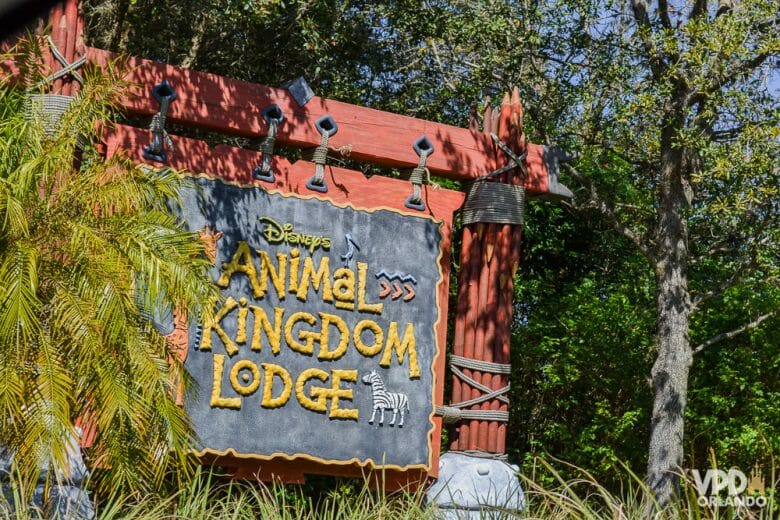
pixel 671 368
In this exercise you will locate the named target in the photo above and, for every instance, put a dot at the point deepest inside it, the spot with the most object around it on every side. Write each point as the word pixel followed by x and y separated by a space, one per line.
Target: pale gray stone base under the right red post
pixel 472 488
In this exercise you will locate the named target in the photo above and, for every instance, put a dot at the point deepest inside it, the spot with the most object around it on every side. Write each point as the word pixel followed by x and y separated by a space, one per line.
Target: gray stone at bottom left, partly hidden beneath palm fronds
pixel 66 500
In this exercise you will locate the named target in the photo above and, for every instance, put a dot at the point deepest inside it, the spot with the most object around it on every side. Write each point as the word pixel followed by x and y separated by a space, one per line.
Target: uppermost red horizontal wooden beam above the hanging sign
pixel 235 107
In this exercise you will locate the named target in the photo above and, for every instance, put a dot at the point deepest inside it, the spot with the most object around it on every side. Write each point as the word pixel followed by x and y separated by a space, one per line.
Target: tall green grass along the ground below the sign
pixel 549 496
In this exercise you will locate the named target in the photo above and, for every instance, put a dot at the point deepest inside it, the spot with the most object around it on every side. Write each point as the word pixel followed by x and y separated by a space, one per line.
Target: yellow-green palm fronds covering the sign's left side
pixel 79 238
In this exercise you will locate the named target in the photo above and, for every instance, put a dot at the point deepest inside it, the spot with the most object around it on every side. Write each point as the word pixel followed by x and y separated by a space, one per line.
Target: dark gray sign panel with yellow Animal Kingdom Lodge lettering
pixel 324 345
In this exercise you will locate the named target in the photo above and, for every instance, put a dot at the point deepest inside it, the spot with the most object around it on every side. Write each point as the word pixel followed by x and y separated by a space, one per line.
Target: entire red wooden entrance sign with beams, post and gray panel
pixel 282 392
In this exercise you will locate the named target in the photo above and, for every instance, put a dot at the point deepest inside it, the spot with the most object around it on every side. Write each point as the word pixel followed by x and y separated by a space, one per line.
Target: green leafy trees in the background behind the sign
pixel 602 78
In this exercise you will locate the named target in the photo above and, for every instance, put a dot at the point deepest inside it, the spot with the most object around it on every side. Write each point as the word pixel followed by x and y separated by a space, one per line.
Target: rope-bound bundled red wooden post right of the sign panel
pixel 489 258
